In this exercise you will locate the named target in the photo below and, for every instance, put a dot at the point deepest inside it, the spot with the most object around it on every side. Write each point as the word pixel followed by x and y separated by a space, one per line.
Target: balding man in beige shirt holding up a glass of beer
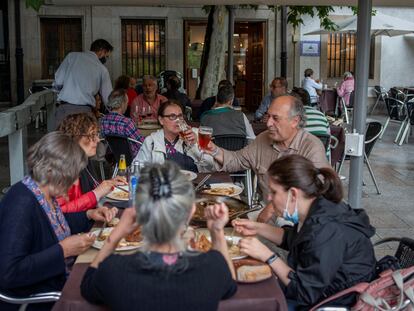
pixel 285 135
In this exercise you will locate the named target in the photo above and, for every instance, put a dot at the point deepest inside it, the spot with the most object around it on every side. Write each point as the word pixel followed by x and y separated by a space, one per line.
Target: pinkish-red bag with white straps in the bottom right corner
pixel 392 291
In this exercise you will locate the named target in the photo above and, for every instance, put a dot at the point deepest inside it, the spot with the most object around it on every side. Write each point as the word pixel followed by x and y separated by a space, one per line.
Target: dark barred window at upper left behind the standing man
pixel 59 37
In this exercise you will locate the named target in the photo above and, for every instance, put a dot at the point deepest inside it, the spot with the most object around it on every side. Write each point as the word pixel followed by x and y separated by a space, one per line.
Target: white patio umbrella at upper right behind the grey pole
pixel 381 25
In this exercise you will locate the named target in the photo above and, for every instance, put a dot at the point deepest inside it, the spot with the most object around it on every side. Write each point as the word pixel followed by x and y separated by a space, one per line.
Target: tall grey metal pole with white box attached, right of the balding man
pixel 360 102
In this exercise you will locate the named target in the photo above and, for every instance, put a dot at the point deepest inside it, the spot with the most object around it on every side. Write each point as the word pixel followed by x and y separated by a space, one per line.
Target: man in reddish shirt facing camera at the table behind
pixel 146 105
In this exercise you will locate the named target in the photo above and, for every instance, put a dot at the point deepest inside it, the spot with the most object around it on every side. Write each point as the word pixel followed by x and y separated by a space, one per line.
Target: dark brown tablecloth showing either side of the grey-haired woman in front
pixel 265 295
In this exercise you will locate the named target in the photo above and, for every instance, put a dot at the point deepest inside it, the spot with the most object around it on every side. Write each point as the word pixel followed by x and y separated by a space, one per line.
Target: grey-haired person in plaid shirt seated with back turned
pixel 115 123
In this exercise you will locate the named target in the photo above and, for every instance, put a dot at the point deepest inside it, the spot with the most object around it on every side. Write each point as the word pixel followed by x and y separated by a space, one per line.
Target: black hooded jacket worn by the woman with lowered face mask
pixel 331 252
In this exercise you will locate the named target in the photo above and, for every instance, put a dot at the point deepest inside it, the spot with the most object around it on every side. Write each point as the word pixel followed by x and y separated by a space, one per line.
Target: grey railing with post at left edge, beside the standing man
pixel 14 122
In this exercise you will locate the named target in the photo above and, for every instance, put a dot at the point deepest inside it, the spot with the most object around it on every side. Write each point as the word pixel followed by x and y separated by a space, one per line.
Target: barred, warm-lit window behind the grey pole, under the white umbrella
pixel 342 54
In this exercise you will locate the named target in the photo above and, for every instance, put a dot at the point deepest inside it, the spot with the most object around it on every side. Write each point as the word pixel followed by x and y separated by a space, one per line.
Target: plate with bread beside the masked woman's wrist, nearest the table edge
pixel 250 270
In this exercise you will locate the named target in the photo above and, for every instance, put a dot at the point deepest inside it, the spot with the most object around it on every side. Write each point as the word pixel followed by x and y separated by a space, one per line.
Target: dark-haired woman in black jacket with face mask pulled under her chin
pixel 329 243
